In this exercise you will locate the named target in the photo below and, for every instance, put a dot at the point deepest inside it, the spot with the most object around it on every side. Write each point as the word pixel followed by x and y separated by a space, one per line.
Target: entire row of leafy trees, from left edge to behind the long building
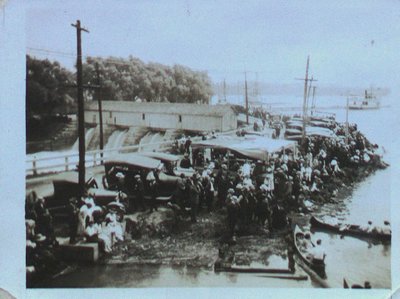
pixel 49 86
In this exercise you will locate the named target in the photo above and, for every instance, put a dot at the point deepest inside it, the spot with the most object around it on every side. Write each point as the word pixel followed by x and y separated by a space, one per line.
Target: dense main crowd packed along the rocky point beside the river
pixel 264 192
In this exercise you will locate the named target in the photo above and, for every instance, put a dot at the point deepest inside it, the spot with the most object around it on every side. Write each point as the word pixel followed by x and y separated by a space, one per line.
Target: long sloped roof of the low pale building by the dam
pixel 163 108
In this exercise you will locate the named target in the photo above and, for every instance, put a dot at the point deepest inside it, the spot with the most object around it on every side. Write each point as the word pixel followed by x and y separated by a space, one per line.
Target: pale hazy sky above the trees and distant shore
pixel 351 43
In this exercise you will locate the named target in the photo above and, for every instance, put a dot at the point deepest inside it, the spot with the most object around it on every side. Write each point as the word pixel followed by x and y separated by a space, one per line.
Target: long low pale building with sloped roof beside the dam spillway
pixel 179 116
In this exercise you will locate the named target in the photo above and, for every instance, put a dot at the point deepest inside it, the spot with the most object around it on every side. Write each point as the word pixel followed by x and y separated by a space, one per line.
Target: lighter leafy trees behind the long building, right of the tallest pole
pixel 130 79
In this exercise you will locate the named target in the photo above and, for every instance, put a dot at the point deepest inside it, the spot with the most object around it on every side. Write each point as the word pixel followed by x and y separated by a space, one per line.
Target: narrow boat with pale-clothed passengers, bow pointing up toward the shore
pixel 317 265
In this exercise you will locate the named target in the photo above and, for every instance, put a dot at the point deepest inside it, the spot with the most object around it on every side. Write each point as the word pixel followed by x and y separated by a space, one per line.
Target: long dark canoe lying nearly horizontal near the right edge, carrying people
pixel 351 230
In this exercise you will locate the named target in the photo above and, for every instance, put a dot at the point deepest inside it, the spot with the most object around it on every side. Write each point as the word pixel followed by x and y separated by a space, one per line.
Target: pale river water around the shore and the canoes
pixel 351 258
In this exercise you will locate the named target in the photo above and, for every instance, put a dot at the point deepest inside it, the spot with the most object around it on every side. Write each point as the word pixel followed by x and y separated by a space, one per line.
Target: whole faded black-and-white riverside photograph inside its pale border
pixel 212 144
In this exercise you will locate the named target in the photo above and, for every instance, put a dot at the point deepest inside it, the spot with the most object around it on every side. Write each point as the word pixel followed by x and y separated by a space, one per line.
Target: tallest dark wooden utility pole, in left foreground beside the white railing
pixel 81 118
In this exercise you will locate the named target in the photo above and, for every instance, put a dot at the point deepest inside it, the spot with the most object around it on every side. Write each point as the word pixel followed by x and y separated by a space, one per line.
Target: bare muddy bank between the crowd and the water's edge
pixel 163 241
